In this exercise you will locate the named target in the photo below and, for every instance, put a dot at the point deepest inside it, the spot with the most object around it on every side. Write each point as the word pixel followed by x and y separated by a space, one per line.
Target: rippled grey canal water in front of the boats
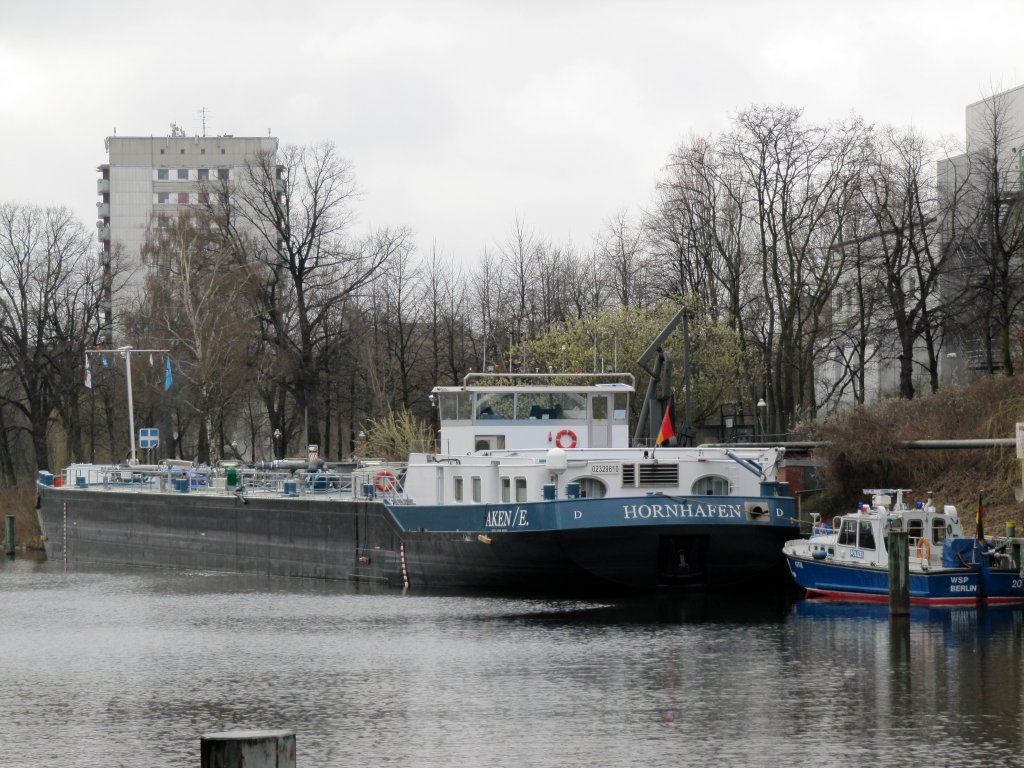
pixel 130 668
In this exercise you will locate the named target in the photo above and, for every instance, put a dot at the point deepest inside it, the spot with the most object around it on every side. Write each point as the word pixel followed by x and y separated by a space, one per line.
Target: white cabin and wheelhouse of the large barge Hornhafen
pixel 510 443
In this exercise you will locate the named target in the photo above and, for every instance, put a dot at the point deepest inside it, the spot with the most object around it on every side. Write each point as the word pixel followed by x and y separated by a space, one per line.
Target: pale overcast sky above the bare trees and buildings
pixel 460 117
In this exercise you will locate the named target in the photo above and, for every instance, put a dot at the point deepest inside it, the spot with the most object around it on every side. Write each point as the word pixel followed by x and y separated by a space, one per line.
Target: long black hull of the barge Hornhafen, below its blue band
pixel 359 541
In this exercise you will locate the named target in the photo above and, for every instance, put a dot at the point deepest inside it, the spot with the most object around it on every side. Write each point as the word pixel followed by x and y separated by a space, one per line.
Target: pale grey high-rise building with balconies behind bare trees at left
pixel 147 177
